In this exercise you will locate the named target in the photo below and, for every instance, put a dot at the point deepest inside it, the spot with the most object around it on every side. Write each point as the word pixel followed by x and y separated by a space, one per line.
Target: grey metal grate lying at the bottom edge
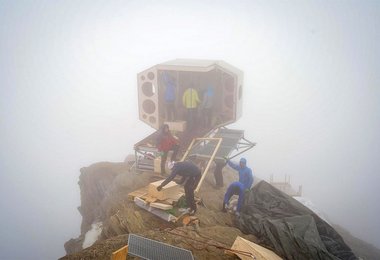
pixel 154 250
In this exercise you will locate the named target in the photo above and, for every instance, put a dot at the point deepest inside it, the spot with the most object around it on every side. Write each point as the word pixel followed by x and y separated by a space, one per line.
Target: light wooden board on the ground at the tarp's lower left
pixel 260 253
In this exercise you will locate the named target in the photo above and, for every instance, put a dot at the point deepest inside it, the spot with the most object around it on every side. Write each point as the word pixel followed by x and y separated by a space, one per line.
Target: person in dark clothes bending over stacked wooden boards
pixel 191 174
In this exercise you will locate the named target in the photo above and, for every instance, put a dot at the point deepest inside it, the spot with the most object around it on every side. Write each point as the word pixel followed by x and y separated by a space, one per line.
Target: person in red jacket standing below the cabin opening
pixel 165 143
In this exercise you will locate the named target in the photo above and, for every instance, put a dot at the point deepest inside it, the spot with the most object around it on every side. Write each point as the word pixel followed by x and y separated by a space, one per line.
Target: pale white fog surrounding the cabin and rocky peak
pixel 69 99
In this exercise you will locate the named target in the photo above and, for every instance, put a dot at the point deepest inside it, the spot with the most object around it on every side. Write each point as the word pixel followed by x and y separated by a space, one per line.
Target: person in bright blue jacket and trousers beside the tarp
pixel 238 188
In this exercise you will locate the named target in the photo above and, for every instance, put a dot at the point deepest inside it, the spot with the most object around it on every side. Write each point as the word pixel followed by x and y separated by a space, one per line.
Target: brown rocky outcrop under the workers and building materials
pixel 104 191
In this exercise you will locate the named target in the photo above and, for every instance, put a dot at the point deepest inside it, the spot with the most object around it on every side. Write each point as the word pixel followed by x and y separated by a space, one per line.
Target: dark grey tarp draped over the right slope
pixel 289 228
